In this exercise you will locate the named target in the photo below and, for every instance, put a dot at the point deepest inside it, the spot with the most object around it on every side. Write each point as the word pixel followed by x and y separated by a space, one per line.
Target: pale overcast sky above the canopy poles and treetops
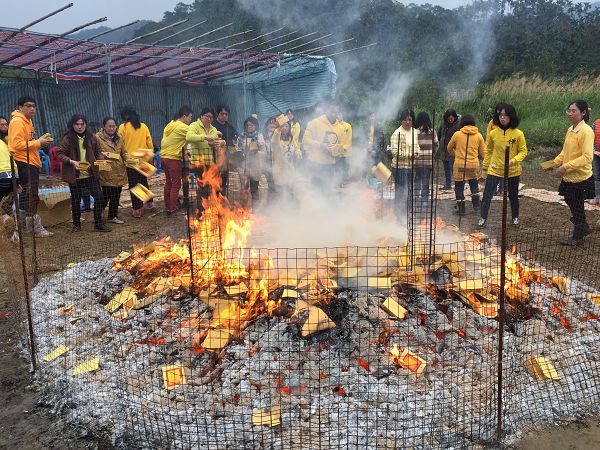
pixel 16 14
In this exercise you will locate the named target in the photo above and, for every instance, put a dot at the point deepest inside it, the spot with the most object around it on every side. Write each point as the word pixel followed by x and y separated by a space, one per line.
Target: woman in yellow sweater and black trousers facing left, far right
pixel 574 166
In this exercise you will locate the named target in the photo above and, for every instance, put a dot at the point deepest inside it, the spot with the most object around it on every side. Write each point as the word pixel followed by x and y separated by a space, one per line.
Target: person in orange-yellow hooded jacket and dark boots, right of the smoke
pixel 466 147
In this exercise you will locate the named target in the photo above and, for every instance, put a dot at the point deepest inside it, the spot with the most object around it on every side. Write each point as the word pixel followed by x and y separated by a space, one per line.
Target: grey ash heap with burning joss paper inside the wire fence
pixel 335 361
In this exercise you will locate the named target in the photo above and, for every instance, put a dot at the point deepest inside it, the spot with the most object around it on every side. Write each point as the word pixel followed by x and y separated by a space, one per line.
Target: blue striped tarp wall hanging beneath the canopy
pixel 295 86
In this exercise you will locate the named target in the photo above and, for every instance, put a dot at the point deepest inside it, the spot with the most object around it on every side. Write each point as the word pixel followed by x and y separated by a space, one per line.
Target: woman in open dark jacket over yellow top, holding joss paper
pixel 78 150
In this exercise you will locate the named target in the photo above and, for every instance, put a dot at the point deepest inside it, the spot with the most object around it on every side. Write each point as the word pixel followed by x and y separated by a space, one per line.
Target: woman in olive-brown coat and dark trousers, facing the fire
pixel 113 173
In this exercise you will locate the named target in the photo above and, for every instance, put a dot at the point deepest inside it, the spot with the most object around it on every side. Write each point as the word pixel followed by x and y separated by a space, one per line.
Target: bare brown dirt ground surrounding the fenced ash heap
pixel 26 423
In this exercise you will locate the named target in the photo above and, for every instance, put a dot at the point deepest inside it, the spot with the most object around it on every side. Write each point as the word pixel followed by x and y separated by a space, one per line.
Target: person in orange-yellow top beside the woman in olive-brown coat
pixel 135 135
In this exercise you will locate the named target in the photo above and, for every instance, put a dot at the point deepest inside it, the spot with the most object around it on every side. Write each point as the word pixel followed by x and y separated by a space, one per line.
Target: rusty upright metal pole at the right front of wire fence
pixel 502 296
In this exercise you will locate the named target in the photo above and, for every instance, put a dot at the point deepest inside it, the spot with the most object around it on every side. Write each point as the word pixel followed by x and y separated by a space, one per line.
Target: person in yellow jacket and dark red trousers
pixel 172 148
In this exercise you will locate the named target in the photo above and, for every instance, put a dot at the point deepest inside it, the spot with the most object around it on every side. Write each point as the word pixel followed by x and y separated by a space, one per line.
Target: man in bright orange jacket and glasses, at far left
pixel 25 151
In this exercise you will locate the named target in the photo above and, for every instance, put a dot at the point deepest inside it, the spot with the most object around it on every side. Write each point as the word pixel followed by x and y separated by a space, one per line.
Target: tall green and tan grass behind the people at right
pixel 541 104
